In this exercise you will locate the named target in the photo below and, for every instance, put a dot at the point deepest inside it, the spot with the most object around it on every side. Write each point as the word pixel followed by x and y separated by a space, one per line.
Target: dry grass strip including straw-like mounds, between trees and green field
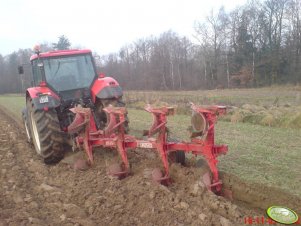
pixel 272 106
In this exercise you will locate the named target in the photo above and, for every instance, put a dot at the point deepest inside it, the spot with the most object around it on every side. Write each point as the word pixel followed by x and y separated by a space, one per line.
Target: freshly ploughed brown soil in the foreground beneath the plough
pixel 33 193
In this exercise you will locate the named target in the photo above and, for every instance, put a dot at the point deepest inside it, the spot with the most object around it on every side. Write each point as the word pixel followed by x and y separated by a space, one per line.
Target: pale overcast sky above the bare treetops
pixel 103 26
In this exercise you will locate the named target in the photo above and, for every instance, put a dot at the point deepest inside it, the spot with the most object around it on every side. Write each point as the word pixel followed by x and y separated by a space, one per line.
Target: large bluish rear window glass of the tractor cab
pixel 67 73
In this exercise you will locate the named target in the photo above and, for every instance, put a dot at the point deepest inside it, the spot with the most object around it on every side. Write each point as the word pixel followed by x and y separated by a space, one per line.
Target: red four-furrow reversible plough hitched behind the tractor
pixel 113 136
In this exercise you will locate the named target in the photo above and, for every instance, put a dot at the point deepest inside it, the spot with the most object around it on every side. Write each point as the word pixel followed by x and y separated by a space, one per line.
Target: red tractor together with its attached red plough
pixel 71 105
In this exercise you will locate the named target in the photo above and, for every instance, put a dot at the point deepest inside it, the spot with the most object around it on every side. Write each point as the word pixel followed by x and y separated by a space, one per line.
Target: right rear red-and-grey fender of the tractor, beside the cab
pixel 106 88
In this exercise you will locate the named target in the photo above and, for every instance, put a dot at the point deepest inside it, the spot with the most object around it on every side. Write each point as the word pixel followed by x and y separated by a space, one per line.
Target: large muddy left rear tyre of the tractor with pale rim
pixel 46 133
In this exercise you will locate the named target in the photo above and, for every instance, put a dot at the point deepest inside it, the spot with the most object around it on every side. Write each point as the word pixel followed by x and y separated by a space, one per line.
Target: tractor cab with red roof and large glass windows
pixel 65 72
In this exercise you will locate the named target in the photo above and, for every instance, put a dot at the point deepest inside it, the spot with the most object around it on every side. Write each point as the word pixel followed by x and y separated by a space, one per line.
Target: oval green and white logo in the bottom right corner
pixel 282 214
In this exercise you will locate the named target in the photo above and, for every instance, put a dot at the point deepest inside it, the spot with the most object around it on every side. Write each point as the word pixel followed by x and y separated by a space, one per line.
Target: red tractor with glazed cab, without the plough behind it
pixel 61 81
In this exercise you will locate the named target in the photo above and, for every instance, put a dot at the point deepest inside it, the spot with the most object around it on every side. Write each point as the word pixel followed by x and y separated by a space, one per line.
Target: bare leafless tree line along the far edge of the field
pixel 257 44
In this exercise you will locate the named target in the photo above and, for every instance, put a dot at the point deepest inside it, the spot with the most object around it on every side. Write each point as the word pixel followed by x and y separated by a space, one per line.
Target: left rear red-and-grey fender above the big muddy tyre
pixel 35 94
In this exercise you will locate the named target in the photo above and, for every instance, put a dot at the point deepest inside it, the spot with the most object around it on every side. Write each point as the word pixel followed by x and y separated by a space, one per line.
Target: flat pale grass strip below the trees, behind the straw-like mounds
pixel 236 97
